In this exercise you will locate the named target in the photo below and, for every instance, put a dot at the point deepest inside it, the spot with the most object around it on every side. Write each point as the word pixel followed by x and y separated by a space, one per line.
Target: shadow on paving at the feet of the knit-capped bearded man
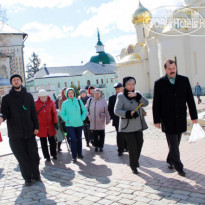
pixel 35 194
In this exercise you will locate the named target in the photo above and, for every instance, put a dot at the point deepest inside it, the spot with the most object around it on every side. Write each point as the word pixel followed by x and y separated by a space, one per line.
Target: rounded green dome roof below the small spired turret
pixel 102 57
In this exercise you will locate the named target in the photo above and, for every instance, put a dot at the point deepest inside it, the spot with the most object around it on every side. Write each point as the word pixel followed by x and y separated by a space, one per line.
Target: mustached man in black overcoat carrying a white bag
pixel 172 94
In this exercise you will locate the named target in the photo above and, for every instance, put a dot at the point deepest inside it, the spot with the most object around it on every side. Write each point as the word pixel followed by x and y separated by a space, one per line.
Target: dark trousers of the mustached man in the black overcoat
pixel 173 141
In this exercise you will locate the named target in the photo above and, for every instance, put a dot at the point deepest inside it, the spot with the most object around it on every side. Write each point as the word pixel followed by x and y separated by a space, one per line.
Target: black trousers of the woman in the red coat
pixel 44 146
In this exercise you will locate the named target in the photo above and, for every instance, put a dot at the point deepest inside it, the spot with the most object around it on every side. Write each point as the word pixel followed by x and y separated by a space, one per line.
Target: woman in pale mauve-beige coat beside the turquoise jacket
pixel 99 116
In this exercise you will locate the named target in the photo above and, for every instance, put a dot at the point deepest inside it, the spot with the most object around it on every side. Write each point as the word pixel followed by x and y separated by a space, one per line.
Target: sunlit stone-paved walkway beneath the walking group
pixel 105 178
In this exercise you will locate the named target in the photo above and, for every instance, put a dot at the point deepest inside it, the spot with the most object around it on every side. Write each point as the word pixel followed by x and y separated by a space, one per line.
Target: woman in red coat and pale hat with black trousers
pixel 48 123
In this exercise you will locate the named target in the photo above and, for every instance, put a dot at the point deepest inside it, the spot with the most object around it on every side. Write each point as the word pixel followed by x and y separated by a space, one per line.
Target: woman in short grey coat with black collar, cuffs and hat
pixel 132 122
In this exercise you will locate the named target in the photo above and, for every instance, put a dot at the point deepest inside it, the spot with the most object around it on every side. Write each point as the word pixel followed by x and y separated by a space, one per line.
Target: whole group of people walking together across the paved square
pixel 90 113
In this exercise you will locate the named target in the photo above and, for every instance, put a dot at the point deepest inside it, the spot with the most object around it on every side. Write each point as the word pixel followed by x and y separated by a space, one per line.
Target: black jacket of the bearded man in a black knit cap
pixel 19 110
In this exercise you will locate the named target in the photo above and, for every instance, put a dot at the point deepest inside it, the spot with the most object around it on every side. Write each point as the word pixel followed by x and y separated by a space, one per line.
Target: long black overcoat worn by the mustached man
pixel 169 104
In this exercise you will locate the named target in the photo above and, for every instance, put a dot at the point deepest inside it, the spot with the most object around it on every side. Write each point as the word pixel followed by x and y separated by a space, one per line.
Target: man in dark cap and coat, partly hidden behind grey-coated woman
pixel 121 143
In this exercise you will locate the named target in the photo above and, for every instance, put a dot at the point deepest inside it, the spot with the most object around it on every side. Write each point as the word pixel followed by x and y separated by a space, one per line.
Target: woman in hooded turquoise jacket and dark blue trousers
pixel 73 112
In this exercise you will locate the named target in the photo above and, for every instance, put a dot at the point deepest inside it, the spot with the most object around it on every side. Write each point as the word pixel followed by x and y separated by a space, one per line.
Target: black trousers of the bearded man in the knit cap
pixel 26 153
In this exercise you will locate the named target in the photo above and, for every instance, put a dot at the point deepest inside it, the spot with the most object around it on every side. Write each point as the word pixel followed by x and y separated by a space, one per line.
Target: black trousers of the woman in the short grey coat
pixel 134 144
